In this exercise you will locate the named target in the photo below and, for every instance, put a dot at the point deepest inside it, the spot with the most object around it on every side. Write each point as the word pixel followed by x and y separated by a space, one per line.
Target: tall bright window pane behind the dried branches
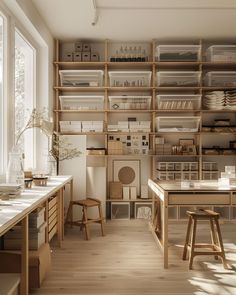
pixel 24 96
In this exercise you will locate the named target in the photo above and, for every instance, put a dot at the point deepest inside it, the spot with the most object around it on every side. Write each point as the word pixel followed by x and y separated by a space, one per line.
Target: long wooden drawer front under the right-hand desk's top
pixel 199 198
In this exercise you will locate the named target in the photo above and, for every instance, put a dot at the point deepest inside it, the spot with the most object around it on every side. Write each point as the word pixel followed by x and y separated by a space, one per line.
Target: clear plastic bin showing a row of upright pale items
pixel 178 102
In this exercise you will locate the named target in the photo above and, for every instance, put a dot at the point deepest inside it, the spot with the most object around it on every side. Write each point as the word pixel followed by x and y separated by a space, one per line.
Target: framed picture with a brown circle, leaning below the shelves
pixel 127 172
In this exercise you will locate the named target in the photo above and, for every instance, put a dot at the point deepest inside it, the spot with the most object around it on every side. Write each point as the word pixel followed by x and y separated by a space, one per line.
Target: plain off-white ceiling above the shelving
pixel 139 19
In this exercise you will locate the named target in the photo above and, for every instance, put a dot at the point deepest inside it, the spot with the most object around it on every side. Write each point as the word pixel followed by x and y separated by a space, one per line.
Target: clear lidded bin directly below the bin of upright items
pixel 177 124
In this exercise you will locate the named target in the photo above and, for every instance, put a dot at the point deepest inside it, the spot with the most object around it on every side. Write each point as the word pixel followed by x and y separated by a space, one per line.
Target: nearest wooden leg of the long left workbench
pixel 24 287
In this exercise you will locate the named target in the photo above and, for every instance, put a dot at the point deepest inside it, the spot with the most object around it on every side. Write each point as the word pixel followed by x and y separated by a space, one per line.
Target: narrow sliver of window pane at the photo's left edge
pixel 2 52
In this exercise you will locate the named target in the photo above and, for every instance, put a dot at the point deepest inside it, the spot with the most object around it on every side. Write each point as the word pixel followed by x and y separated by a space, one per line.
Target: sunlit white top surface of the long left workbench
pixel 14 210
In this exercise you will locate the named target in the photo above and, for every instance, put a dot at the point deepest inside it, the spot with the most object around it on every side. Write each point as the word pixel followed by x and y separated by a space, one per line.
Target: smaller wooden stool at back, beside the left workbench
pixel 83 223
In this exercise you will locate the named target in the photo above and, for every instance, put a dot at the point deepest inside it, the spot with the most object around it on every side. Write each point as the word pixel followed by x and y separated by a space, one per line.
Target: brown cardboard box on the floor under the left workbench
pixel 39 264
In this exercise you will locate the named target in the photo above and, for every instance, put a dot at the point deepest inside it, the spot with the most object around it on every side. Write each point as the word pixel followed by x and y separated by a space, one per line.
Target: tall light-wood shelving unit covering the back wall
pixel 200 137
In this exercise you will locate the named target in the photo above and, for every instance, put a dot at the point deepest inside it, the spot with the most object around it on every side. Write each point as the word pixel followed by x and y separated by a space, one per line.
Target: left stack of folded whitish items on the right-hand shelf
pixel 214 100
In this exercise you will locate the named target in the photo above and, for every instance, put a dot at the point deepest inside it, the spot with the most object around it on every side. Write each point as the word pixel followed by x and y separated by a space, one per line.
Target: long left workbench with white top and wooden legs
pixel 18 209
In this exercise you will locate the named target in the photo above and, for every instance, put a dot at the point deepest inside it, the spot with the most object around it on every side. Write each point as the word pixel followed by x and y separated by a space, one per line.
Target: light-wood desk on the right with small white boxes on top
pixel 167 193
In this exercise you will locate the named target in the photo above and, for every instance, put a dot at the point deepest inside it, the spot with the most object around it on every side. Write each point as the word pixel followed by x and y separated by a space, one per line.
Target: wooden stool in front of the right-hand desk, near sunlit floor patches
pixel 217 248
